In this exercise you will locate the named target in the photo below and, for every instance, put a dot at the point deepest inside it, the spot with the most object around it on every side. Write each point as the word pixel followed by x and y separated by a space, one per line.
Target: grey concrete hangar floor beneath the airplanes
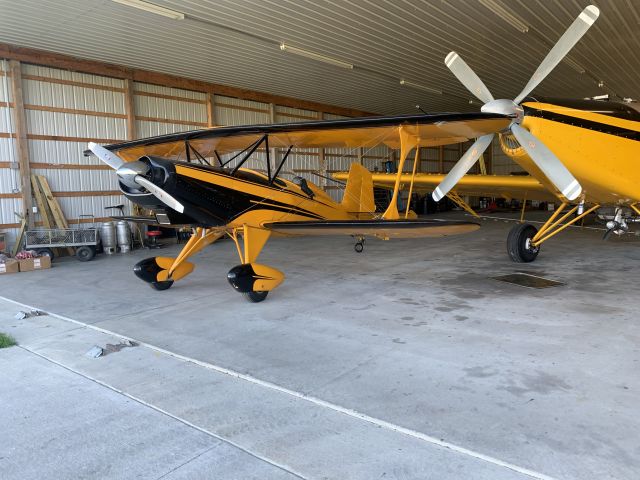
pixel 406 361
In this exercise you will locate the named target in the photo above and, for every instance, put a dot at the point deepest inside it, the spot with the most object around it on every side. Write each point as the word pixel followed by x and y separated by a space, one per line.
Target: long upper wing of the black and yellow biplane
pixel 392 131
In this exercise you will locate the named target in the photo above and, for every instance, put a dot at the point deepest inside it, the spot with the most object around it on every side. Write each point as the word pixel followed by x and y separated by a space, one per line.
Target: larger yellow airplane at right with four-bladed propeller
pixel 583 153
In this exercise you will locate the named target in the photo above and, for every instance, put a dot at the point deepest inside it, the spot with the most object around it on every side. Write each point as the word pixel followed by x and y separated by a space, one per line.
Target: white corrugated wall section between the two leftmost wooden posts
pixel 64 111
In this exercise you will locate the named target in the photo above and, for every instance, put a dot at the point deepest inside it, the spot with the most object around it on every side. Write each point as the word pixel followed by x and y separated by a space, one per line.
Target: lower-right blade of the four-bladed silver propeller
pixel 546 161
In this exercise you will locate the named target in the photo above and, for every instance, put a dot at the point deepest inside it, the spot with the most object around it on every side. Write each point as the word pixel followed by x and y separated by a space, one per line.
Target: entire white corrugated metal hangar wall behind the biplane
pixel 64 110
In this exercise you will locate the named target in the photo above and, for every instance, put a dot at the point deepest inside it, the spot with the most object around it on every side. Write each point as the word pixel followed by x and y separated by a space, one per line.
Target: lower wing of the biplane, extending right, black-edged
pixel 378 228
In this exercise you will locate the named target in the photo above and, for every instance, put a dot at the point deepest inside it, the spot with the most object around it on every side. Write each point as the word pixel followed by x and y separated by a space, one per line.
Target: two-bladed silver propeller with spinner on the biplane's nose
pixel 133 174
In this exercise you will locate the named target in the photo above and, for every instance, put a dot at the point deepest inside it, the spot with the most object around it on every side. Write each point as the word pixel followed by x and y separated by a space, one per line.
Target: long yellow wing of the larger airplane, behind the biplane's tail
pixel 505 186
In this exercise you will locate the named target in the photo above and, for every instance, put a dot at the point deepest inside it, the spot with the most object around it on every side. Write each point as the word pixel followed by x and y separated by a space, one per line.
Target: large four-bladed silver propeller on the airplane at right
pixel 539 153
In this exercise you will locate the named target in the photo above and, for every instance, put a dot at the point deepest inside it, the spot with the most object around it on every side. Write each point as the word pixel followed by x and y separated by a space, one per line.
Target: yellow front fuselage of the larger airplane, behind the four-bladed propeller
pixel 607 166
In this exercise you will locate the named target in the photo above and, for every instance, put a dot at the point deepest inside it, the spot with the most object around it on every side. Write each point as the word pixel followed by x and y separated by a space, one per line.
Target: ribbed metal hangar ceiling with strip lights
pixel 237 42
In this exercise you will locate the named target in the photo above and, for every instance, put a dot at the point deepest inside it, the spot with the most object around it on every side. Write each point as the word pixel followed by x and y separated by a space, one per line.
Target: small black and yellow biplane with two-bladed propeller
pixel 197 178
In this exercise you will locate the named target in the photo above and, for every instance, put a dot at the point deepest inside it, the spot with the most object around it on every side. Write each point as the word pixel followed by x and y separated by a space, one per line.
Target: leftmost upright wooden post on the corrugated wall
pixel 22 146
